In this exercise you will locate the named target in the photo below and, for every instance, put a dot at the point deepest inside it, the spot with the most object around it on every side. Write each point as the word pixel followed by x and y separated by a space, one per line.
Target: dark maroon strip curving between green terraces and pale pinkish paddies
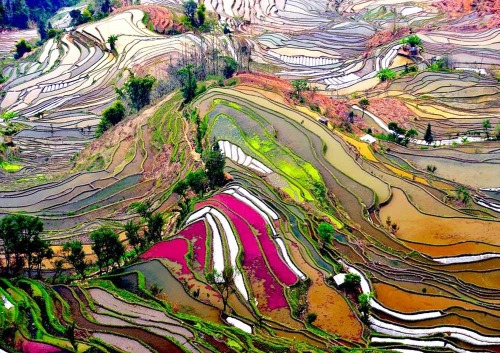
pixel 156 342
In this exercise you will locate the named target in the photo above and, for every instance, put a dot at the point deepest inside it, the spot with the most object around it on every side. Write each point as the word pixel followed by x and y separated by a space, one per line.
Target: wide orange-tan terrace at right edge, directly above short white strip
pixel 427 229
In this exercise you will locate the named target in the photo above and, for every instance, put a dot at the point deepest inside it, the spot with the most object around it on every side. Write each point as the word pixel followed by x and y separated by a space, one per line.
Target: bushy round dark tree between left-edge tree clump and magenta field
pixel 107 247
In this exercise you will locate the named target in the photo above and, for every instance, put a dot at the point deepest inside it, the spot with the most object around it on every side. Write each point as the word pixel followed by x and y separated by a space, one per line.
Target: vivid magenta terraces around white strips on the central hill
pixel 261 260
